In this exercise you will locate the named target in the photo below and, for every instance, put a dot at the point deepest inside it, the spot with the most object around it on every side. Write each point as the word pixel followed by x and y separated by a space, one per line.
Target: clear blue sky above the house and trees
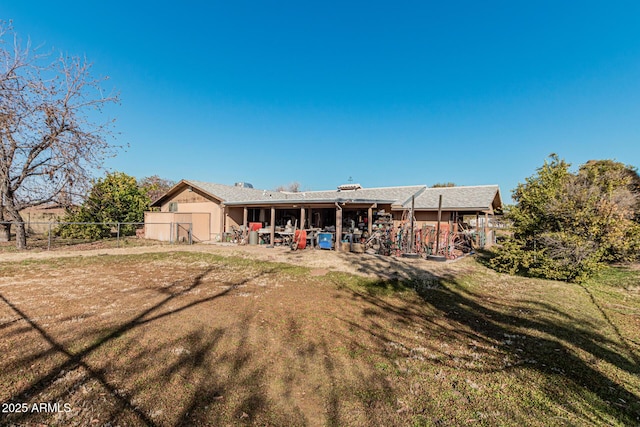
pixel 401 93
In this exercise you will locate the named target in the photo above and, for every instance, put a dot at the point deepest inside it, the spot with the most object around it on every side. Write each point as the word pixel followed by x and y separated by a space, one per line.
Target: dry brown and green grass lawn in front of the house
pixel 163 338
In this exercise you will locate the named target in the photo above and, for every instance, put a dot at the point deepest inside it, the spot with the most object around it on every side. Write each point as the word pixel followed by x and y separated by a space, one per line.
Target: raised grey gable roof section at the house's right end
pixel 485 198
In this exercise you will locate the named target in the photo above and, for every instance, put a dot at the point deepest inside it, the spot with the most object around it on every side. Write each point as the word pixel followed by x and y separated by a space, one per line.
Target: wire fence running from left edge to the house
pixel 56 234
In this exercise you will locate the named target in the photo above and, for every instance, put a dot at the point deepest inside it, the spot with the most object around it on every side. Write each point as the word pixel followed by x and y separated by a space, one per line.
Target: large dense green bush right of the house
pixel 567 225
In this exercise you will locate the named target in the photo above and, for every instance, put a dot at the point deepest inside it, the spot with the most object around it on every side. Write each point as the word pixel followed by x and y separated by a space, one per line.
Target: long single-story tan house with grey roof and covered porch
pixel 211 211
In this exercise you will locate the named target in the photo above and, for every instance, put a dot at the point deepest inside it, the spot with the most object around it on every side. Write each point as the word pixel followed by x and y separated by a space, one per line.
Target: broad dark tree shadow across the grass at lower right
pixel 546 347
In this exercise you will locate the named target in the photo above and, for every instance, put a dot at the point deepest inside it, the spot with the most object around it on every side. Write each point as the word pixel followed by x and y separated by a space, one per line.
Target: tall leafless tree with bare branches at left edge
pixel 50 141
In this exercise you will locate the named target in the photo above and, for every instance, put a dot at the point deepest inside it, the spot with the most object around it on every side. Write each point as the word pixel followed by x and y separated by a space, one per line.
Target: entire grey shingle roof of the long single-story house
pixel 460 198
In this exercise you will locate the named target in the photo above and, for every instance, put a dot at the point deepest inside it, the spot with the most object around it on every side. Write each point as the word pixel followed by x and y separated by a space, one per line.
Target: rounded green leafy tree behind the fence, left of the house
pixel 113 199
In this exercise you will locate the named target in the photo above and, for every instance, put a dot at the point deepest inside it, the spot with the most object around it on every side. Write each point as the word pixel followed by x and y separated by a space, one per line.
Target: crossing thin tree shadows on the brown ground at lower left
pixel 123 404
